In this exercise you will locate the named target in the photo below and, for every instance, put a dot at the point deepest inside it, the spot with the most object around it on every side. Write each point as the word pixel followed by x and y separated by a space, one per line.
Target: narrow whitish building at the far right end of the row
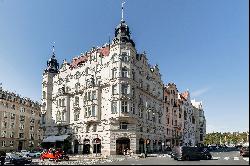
pixel 201 123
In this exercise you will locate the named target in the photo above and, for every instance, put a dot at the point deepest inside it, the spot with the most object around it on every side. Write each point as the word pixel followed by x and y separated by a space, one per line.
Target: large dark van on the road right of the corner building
pixel 186 153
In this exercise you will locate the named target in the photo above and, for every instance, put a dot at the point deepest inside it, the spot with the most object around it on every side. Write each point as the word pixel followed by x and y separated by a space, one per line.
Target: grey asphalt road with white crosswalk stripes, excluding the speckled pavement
pixel 219 158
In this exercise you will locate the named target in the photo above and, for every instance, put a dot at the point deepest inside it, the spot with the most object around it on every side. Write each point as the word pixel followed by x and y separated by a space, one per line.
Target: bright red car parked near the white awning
pixel 54 155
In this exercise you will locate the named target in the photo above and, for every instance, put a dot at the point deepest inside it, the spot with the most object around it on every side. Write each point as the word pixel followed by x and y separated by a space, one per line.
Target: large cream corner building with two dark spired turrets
pixel 107 99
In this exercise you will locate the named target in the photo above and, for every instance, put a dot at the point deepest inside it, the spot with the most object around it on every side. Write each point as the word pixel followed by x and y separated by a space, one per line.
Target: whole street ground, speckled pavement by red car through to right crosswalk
pixel 219 158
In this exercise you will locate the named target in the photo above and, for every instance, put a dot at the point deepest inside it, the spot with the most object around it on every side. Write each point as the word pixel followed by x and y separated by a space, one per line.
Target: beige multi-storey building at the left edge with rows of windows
pixel 19 122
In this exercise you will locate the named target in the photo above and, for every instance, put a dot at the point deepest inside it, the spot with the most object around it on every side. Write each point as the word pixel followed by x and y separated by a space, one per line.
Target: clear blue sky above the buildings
pixel 200 45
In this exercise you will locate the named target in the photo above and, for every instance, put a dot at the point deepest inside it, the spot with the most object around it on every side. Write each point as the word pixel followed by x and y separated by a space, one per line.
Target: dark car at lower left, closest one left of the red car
pixel 16 159
